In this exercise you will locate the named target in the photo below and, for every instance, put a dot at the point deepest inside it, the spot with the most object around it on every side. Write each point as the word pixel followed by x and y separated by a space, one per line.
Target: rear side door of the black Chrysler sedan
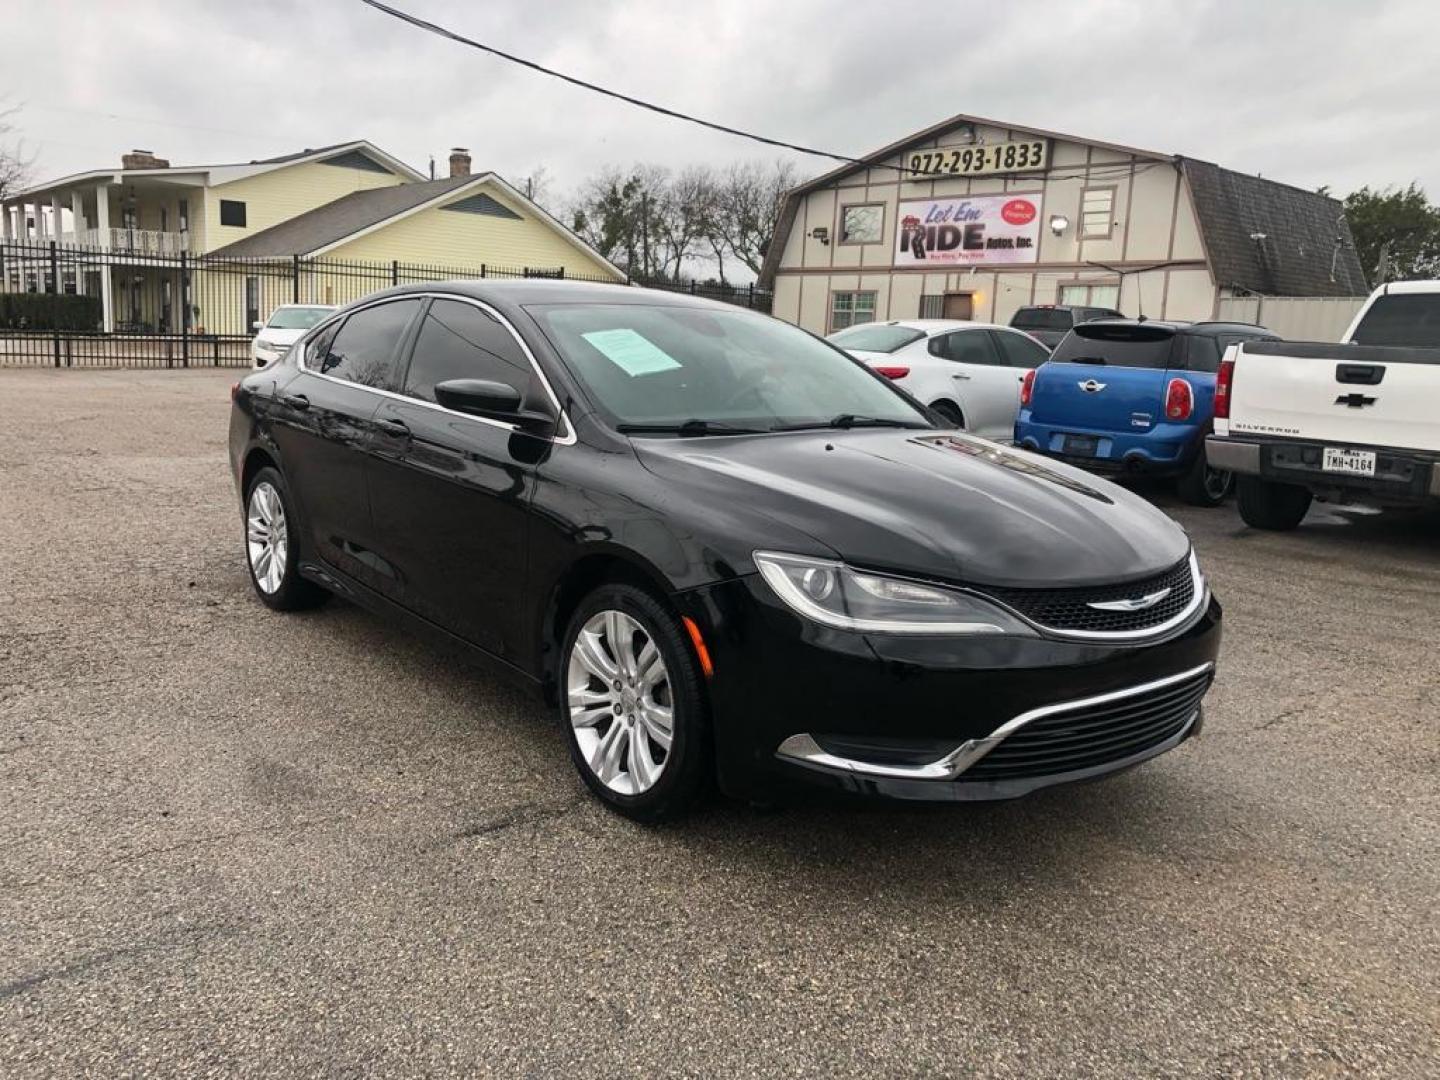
pixel 323 424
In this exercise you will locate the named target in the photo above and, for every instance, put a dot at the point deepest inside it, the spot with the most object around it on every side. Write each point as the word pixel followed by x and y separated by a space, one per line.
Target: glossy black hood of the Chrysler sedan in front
pixel 931 505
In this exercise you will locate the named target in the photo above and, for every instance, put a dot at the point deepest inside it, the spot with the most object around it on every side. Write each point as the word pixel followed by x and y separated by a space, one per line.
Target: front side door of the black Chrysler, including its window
pixel 451 493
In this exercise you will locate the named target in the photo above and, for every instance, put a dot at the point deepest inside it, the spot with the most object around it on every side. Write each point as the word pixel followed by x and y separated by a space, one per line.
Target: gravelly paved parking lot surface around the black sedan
pixel 244 843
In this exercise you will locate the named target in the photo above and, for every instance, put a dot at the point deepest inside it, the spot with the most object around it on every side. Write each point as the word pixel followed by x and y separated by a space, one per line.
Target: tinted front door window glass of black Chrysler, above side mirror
pixel 463 342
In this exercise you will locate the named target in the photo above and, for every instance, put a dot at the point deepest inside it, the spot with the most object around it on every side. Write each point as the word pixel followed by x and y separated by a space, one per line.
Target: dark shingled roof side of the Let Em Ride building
pixel 1305 235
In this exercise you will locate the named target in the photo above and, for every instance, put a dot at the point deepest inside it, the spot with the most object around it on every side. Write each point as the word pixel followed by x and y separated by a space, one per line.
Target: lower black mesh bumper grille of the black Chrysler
pixel 1086 738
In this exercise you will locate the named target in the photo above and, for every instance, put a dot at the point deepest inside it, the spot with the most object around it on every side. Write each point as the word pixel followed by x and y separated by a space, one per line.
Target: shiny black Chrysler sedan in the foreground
pixel 724 549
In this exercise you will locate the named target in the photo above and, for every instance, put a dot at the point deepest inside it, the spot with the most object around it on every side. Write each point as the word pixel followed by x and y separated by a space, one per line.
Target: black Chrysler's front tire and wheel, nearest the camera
pixel 633 705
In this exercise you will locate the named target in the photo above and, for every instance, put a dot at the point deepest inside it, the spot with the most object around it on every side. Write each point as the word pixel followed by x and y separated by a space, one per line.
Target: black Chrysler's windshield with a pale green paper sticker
pixel 669 365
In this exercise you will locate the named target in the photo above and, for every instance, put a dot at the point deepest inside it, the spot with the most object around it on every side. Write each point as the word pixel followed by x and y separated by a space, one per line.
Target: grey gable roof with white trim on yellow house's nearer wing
pixel 348 218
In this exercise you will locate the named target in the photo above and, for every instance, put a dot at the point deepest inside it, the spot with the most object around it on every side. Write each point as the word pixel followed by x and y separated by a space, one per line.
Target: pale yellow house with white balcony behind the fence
pixel 319 227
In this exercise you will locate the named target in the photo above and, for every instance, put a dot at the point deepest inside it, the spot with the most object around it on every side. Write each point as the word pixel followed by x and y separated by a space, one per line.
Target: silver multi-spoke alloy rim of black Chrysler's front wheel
pixel 620 702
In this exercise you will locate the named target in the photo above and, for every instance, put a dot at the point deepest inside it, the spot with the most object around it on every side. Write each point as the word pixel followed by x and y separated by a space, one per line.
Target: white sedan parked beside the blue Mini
pixel 968 372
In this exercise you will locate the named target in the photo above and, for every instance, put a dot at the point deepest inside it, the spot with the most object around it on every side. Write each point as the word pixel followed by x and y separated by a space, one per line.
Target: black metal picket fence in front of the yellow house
pixel 161 310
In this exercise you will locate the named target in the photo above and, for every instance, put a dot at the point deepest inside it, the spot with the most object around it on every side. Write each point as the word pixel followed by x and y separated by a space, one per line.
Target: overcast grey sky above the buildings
pixel 1318 93
